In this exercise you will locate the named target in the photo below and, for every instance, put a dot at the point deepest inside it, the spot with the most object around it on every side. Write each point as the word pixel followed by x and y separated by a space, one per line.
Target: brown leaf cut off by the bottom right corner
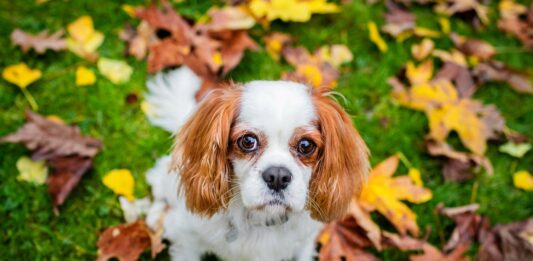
pixel 508 242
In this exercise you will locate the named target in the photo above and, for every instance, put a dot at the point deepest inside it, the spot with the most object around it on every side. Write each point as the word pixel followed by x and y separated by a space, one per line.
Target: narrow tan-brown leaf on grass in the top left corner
pixel 39 42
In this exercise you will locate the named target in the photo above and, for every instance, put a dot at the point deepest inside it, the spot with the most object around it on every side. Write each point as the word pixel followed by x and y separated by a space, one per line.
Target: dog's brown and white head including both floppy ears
pixel 274 146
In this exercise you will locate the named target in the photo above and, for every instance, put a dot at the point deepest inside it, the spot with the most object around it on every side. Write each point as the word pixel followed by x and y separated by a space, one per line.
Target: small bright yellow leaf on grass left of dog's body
pixel 121 182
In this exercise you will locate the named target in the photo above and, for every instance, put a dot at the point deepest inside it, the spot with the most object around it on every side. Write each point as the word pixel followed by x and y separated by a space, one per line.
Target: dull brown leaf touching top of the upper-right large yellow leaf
pixel 461 76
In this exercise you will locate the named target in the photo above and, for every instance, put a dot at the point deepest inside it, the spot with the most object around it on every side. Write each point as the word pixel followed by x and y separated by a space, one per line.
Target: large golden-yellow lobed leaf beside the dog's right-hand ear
pixel 383 193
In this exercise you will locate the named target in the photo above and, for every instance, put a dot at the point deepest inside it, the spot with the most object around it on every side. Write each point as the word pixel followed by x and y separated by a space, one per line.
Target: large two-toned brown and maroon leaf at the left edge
pixel 63 147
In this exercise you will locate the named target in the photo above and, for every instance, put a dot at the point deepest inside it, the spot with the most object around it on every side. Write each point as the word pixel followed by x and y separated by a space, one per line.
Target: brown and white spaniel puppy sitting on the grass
pixel 256 168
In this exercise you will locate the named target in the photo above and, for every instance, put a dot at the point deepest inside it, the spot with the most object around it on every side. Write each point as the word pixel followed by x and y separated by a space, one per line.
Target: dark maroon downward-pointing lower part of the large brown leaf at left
pixel 66 174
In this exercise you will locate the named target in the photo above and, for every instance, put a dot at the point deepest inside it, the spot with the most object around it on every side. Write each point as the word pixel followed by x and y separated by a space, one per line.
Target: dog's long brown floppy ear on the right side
pixel 342 165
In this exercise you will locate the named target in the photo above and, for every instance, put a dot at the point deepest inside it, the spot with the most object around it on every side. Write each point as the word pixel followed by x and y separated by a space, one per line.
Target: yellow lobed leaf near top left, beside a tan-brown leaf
pixel 83 39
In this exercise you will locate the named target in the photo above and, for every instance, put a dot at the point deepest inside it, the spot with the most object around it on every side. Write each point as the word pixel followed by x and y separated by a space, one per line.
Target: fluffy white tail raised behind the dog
pixel 171 98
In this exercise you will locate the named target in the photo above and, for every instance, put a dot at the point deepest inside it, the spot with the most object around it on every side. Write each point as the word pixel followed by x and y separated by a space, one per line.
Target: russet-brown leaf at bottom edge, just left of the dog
pixel 127 242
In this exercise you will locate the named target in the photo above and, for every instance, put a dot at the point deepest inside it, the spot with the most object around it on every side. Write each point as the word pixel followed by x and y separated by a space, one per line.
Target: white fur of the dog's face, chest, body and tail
pixel 240 231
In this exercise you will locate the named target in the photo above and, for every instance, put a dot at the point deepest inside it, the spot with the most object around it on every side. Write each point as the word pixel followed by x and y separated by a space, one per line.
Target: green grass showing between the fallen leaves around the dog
pixel 30 230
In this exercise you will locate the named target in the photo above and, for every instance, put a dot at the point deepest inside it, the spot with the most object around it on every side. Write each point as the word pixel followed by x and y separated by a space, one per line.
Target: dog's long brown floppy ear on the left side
pixel 201 152
